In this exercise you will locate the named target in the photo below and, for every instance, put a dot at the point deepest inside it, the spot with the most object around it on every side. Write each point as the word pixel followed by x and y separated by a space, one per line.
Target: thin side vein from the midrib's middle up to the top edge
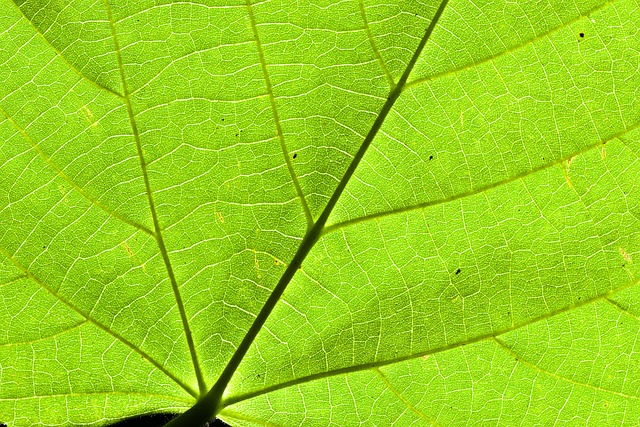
pixel 276 117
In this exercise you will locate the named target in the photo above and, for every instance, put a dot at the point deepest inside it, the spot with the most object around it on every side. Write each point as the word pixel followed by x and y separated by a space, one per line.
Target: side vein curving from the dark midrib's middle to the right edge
pixel 482 189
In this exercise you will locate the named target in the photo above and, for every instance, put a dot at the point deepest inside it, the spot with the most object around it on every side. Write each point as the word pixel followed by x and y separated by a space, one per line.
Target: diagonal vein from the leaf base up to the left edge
pixel 103 327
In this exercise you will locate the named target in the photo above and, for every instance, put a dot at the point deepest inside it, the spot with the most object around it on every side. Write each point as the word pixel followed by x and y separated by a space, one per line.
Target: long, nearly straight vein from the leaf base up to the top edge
pixel 156 224
